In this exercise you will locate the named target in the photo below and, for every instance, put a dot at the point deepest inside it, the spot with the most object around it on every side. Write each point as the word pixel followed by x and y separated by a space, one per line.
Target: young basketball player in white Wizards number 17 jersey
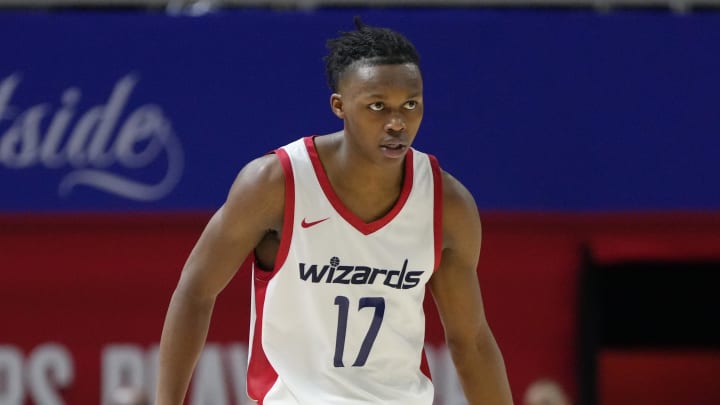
pixel 346 231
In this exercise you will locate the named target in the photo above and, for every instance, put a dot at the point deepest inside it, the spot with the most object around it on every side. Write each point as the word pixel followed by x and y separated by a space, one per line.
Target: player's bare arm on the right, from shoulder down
pixel 456 291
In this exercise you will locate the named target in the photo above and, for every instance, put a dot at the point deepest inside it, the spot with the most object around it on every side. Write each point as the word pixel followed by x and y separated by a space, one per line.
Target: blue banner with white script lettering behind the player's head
pixel 532 110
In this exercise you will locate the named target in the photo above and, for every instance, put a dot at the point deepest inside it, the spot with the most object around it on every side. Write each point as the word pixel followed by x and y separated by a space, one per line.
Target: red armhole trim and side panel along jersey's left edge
pixel 261 375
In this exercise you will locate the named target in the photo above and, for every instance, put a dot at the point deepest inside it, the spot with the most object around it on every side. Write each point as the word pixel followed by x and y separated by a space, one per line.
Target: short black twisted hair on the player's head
pixel 375 45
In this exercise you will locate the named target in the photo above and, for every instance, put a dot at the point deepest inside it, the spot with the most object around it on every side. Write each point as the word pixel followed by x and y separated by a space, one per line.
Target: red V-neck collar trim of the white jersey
pixel 365 228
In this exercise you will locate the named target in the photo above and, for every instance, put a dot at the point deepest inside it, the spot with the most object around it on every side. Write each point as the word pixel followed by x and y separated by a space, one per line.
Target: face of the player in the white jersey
pixel 382 107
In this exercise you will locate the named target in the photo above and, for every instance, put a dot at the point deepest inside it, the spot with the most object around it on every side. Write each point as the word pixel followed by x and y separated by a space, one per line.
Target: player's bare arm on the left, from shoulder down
pixel 253 207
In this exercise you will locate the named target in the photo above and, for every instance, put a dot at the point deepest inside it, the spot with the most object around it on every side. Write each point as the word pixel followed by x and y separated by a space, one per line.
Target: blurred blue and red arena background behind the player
pixel 588 132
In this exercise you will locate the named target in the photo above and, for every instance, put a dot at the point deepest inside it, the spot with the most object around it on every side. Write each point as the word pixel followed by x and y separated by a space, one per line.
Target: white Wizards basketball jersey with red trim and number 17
pixel 340 318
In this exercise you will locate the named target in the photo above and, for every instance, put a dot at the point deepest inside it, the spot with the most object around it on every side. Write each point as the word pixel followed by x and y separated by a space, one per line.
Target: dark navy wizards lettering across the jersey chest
pixel 334 273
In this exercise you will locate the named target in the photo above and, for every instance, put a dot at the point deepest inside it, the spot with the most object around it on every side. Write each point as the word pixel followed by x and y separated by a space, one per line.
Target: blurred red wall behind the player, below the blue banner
pixel 89 280
